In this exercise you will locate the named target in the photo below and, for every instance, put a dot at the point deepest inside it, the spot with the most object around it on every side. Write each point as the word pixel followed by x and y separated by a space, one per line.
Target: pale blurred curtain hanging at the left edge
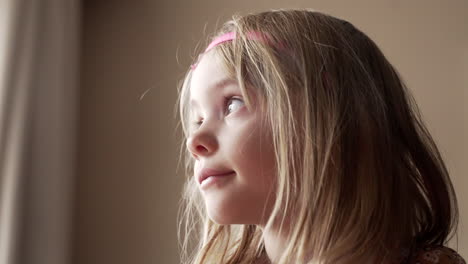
pixel 38 99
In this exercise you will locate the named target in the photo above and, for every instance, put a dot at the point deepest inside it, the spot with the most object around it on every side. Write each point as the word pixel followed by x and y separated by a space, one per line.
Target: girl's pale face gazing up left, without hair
pixel 229 139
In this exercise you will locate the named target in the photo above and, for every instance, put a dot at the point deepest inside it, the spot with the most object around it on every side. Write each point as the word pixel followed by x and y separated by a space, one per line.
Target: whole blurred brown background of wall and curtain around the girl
pixel 88 141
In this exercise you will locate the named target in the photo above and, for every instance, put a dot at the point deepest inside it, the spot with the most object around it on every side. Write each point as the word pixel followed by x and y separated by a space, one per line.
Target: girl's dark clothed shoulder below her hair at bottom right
pixel 436 255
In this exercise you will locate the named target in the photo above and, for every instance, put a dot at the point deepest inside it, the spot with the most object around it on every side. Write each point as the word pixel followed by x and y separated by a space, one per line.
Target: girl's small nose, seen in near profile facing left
pixel 202 144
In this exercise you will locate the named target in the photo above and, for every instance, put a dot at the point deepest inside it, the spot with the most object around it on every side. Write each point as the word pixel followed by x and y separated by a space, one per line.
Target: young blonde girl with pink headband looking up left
pixel 304 146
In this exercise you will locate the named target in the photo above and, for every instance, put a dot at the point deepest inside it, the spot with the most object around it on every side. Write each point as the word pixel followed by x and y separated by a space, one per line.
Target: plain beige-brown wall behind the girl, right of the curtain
pixel 128 188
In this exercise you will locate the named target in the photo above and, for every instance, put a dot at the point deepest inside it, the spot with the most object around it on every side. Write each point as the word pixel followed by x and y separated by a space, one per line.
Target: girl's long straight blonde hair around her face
pixel 353 155
